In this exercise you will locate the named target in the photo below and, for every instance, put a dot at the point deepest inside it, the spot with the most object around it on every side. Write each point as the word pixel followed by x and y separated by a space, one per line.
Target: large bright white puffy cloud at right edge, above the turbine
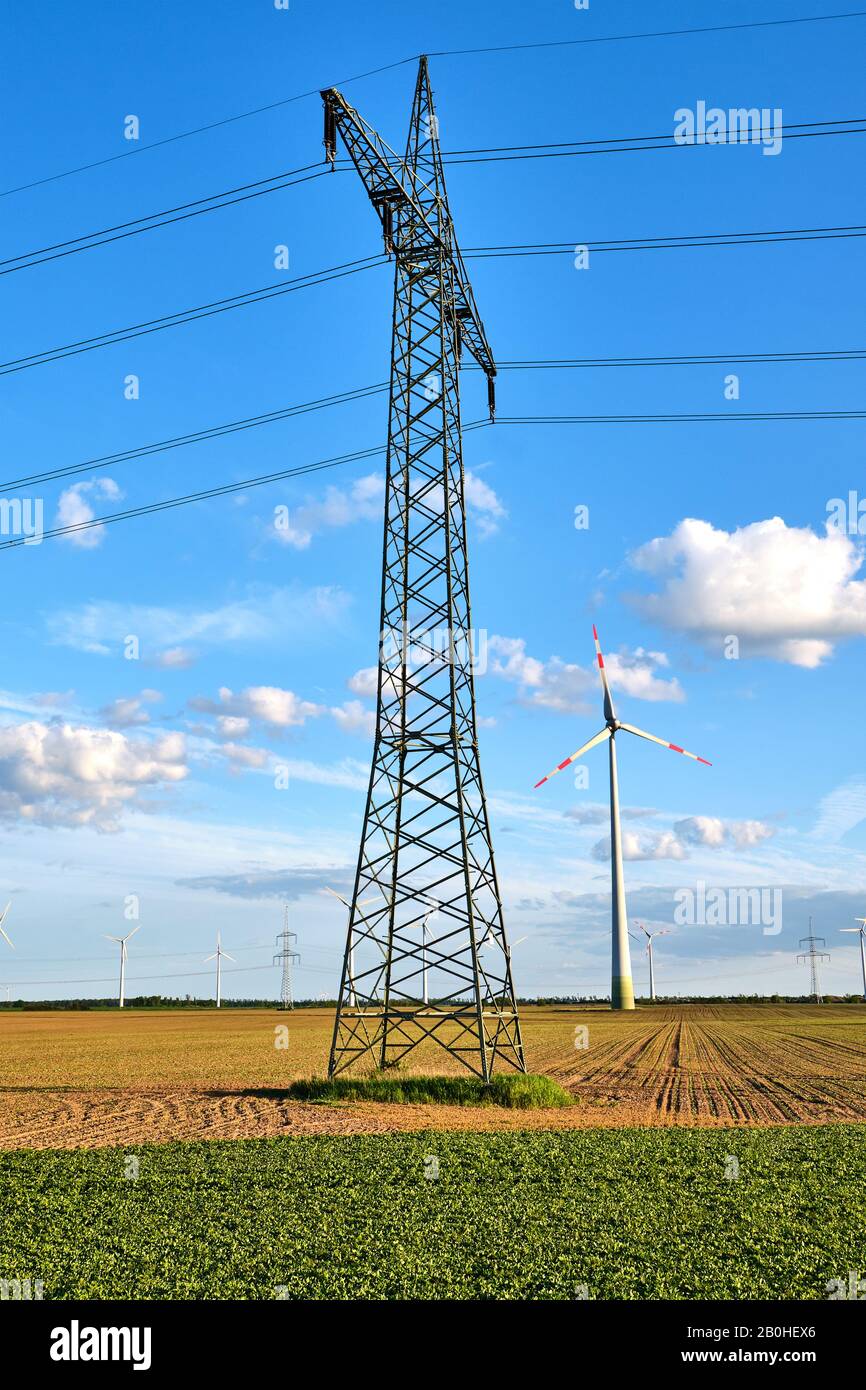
pixel 783 591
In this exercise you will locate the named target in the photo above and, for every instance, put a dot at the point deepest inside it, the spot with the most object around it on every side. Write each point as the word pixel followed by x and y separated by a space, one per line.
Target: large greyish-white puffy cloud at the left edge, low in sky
pixel 62 775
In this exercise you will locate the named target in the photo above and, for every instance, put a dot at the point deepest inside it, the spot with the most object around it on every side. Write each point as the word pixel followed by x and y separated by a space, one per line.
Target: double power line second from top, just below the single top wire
pixel 229 198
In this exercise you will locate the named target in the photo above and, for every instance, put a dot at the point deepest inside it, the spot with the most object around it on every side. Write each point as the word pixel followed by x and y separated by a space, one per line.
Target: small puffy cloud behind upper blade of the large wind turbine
pixel 575 690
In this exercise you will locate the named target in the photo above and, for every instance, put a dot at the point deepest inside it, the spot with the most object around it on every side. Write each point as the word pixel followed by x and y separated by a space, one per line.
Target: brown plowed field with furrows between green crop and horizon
pixel 99 1079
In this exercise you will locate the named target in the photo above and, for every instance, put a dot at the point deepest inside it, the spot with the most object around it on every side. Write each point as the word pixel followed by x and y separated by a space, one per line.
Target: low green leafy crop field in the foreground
pixel 600 1214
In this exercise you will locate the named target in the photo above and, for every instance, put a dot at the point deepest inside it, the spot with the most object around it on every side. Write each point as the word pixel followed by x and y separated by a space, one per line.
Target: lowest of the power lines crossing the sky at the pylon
pixel 369 454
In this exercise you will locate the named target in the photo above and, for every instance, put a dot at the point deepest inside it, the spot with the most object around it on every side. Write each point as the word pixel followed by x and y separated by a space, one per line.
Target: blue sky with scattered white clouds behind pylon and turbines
pixel 156 778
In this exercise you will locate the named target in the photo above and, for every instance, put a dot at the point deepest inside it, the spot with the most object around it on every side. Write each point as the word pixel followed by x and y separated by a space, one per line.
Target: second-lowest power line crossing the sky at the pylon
pixel 363 393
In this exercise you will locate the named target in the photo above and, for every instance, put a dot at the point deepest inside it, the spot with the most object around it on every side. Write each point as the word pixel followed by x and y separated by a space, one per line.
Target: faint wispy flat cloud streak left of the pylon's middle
pixel 261 616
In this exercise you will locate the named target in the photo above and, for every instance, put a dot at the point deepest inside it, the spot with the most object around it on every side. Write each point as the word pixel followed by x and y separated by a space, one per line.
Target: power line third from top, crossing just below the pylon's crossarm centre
pixel 184 316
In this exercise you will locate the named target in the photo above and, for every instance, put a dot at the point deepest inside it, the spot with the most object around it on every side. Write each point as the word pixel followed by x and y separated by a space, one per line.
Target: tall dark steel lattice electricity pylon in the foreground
pixel 426 836
